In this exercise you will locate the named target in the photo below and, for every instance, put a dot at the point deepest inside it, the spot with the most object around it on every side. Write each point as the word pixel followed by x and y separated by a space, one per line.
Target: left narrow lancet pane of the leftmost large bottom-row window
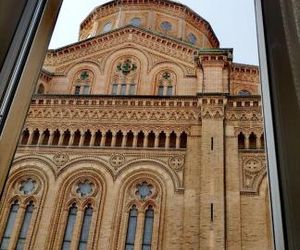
pixel 9 225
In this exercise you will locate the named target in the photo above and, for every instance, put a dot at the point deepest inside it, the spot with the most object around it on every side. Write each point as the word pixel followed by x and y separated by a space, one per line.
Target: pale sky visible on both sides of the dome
pixel 232 20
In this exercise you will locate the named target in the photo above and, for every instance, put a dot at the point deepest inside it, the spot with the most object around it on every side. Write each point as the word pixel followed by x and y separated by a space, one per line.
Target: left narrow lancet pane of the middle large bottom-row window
pixel 69 227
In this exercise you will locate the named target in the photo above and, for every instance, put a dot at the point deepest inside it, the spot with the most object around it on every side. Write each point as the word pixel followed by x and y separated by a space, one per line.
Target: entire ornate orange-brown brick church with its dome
pixel 142 135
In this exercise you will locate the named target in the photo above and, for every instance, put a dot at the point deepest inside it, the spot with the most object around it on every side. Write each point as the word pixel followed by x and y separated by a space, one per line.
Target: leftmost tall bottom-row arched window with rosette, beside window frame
pixel 20 215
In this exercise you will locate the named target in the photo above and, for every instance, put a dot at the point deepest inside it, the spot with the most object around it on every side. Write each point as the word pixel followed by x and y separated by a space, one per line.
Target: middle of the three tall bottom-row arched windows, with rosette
pixel 79 211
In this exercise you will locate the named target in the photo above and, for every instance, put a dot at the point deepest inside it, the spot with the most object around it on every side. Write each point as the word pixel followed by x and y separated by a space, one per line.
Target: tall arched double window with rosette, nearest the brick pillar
pixel 142 209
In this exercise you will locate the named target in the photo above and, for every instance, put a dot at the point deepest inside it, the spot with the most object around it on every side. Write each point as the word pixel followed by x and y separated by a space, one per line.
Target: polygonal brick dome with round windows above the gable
pixel 164 17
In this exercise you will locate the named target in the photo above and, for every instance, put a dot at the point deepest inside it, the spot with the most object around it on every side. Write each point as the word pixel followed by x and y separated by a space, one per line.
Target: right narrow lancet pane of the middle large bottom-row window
pixel 85 229
